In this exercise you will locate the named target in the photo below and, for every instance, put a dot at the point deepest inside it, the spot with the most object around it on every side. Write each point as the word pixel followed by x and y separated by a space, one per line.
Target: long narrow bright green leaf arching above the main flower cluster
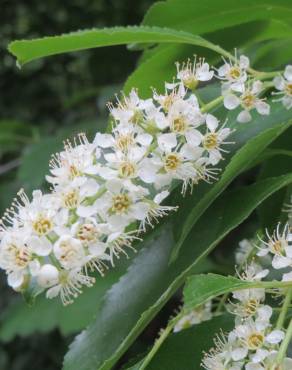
pixel 28 50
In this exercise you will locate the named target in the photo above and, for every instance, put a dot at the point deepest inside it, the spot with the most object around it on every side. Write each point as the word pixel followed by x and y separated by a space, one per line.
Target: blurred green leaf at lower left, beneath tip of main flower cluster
pixel 23 320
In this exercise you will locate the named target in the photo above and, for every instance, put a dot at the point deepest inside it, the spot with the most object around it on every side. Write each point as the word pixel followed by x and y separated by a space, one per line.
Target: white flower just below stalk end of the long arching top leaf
pixel 234 74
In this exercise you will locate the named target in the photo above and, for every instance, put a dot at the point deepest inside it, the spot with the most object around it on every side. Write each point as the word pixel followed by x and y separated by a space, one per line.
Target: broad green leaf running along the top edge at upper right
pixel 210 15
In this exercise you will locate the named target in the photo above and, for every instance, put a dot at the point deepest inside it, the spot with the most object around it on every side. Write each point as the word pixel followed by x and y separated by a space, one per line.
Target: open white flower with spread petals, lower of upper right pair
pixel 248 100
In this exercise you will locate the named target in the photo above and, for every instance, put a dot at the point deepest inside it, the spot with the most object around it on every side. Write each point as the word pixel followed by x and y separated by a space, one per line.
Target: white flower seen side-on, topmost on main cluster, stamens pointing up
pixel 191 73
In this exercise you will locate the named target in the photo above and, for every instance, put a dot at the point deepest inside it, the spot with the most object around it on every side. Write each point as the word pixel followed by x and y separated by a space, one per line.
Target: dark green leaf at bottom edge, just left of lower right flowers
pixel 184 350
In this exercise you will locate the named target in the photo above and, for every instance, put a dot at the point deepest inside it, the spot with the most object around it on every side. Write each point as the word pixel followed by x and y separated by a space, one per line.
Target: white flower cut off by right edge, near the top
pixel 284 85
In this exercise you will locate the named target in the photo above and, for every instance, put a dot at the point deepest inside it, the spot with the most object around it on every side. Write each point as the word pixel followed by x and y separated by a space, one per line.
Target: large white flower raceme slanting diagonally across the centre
pixel 104 193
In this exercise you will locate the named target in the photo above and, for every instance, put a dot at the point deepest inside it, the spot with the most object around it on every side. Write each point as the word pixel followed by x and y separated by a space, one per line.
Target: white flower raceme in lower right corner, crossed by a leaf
pixel 259 340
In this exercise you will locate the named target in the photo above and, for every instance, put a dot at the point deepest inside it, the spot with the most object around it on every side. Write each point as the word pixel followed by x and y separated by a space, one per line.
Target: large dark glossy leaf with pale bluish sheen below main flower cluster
pixel 150 281
